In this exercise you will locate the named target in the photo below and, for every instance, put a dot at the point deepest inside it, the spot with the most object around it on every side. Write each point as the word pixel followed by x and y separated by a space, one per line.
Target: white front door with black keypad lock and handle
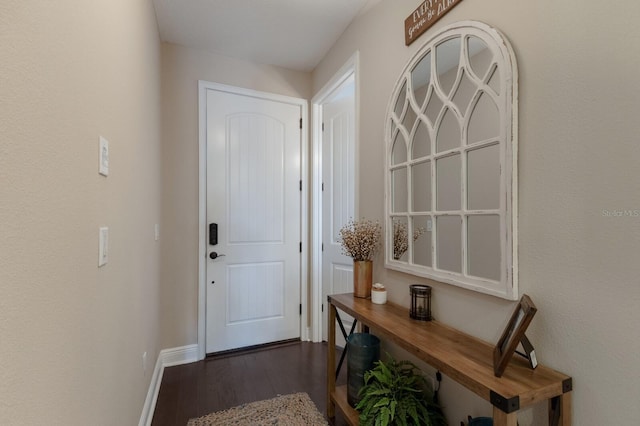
pixel 253 195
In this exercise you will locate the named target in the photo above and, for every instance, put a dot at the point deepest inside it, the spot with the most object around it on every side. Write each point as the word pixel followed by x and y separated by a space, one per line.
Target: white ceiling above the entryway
pixel 294 34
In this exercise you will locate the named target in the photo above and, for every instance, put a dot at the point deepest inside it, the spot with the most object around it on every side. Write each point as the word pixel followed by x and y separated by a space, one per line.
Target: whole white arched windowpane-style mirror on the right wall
pixel 451 179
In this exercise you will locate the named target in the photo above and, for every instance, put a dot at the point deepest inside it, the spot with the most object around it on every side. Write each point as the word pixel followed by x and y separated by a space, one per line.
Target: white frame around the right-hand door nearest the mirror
pixel 350 68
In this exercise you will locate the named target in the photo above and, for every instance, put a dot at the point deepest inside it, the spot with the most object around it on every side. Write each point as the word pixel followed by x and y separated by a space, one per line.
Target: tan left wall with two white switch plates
pixel 72 335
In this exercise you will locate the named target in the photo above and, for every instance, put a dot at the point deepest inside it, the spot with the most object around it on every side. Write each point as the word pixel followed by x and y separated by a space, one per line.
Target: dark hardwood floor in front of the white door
pixel 196 389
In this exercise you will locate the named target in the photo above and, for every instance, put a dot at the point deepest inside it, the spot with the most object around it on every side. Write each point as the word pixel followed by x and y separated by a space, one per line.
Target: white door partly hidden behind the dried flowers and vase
pixel 338 196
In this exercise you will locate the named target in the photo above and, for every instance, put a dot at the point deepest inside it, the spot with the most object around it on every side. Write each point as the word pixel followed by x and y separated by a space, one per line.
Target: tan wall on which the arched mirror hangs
pixel 578 67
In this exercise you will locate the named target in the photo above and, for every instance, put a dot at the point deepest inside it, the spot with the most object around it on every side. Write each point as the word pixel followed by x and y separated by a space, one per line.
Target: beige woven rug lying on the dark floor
pixel 295 409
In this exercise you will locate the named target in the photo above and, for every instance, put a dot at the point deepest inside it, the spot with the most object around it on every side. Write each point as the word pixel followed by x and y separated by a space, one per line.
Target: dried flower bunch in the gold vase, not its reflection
pixel 360 239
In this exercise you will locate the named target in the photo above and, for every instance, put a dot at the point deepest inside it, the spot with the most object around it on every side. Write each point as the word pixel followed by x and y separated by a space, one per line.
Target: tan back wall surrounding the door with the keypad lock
pixel 182 68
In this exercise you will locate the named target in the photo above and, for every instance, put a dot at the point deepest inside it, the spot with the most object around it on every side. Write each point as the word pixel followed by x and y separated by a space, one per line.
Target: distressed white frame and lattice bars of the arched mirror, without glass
pixel 507 104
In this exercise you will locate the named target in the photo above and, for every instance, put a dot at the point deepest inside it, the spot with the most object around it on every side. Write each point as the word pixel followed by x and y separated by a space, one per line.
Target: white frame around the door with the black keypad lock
pixel 203 86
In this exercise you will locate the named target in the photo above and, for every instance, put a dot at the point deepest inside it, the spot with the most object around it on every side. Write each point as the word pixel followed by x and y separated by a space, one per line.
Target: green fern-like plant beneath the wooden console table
pixel 397 393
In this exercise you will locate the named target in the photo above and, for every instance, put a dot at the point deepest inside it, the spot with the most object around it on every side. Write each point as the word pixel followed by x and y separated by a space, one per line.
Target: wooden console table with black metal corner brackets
pixel 462 357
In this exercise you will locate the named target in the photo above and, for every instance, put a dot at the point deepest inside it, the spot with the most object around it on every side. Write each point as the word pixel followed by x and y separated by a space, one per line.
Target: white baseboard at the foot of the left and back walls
pixel 166 358
